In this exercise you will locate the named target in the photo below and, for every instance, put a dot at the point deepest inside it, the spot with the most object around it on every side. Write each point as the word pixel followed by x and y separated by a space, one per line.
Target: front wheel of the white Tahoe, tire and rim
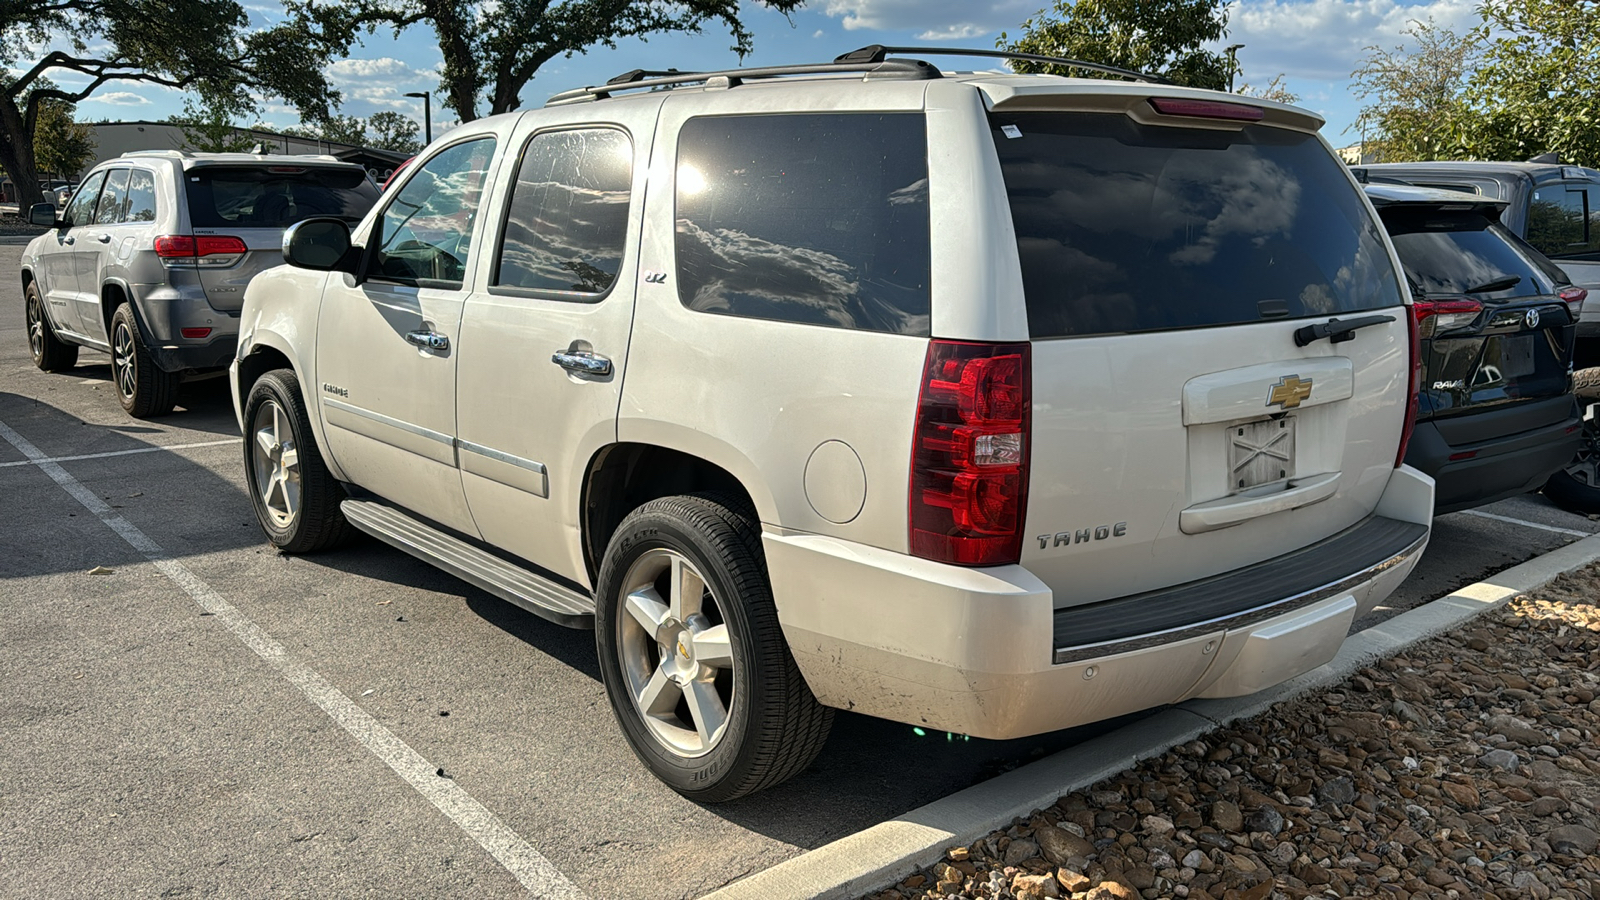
pixel 295 496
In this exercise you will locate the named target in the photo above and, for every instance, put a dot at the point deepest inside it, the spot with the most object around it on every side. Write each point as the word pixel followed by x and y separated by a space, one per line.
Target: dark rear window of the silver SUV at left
pixel 262 198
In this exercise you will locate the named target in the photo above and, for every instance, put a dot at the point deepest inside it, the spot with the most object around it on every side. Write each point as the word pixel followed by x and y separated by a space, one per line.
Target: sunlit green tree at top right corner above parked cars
pixel 1524 82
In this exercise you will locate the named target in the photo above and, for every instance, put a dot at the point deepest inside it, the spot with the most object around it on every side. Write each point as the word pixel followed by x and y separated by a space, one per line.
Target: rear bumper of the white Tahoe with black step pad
pixel 983 653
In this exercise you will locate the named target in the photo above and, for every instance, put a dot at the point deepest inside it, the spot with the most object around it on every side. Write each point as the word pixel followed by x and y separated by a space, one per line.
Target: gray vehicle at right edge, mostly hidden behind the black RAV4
pixel 1558 211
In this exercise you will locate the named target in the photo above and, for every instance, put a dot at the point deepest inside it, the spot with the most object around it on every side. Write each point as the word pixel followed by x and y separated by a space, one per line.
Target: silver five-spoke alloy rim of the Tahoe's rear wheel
pixel 676 653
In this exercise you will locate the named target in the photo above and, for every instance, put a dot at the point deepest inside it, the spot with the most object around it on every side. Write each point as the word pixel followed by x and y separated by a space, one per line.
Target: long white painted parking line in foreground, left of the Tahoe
pixel 506 846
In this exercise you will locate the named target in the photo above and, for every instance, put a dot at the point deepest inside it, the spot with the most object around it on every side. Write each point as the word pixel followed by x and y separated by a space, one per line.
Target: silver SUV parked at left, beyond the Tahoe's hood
pixel 151 257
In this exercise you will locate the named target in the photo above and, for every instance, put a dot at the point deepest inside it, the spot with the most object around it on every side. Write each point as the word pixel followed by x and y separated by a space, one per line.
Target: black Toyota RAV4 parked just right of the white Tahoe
pixel 1497 321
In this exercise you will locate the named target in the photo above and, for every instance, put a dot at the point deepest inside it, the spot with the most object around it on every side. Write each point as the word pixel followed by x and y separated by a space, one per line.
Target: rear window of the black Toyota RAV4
pixel 1454 252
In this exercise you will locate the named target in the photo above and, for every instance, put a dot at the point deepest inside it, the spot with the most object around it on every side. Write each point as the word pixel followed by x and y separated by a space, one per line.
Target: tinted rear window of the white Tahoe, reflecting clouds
pixel 1145 228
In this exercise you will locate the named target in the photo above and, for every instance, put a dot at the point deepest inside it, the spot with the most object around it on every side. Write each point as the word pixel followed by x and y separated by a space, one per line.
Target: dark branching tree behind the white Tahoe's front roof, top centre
pixel 492 49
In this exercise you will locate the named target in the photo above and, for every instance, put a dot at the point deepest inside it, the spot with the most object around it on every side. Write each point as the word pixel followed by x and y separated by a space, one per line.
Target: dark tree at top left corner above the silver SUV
pixel 198 46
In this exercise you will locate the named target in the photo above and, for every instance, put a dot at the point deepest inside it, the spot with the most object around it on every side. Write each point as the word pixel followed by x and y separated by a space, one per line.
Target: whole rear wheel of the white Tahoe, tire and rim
pixel 692 654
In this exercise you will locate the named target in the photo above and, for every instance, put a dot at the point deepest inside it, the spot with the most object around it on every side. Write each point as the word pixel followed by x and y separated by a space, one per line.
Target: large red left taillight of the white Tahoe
pixel 969 465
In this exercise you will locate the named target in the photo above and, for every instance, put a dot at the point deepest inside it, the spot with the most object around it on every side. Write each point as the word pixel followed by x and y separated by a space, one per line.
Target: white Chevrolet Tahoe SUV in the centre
pixel 991 404
